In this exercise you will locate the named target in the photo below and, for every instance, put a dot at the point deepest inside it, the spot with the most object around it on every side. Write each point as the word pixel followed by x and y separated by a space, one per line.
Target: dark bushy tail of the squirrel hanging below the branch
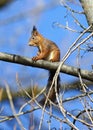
pixel 52 94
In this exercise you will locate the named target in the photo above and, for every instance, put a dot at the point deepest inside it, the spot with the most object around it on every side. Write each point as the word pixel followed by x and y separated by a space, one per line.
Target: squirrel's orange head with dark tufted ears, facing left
pixel 36 37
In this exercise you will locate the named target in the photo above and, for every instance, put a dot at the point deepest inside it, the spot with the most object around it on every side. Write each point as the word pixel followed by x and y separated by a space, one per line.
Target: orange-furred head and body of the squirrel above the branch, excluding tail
pixel 47 49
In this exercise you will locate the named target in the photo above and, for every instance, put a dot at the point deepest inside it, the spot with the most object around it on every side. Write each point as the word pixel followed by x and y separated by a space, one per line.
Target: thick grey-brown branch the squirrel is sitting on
pixel 88 75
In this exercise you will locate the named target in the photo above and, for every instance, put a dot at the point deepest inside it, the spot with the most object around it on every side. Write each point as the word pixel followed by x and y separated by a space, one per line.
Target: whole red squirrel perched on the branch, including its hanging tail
pixel 47 50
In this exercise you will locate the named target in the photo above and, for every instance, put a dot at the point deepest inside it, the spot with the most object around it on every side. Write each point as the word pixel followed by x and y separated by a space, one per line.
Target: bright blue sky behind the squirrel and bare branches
pixel 15 32
